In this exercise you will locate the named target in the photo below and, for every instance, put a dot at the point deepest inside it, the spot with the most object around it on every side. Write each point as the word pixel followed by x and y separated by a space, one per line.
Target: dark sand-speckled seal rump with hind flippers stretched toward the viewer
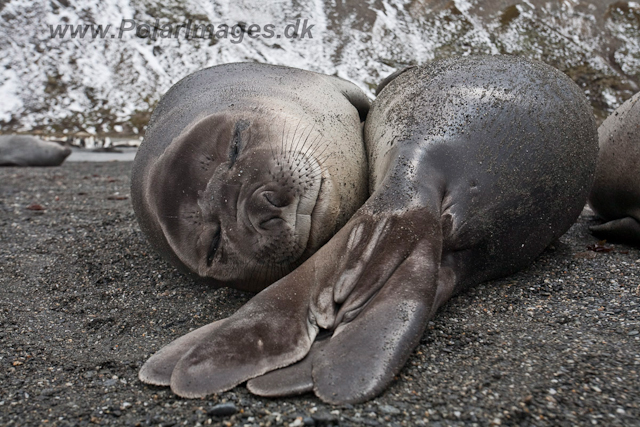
pixel 476 164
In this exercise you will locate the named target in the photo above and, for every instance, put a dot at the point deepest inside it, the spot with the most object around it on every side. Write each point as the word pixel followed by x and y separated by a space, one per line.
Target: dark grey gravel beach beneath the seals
pixel 84 301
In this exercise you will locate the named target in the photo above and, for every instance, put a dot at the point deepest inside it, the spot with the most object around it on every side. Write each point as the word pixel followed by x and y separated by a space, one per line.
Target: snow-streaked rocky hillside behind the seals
pixel 109 83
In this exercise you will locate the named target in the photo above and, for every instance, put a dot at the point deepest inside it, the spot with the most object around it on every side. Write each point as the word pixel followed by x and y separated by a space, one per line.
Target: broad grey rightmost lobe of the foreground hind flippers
pixel 365 354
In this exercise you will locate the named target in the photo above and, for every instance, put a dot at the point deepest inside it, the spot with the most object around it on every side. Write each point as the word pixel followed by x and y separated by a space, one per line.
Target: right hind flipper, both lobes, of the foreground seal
pixel 380 318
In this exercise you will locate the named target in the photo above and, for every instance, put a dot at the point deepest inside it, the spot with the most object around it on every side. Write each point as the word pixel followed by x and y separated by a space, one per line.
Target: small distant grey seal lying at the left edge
pixel 26 150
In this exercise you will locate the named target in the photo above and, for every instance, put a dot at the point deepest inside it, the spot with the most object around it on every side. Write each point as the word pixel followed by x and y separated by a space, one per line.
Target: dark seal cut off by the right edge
pixel 615 195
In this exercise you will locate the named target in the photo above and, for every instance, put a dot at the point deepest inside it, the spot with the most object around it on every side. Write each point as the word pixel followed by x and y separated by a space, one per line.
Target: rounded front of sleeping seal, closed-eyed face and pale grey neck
pixel 246 169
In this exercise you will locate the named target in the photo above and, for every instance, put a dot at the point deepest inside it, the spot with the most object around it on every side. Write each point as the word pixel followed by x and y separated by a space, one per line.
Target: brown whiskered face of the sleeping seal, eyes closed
pixel 242 198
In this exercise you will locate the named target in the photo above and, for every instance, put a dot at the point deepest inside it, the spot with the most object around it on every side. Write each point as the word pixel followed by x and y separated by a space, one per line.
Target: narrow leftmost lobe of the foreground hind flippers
pixel 158 368
